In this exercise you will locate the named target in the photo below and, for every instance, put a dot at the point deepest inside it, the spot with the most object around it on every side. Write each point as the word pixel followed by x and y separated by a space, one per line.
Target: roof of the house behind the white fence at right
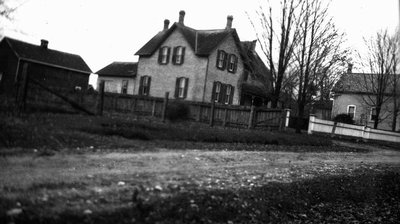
pixel 360 83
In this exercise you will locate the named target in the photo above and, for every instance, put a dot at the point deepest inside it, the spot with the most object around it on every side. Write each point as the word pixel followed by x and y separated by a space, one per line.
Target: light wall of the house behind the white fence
pixel 363 111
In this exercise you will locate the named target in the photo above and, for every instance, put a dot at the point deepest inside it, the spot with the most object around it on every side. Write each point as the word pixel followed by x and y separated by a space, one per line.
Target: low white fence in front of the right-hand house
pixel 324 126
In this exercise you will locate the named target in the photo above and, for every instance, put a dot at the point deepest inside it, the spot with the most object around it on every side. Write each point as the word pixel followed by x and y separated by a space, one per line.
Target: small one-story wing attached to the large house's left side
pixel 118 77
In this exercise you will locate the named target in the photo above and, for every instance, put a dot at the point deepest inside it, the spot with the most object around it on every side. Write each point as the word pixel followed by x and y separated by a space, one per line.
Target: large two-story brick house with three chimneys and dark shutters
pixel 200 65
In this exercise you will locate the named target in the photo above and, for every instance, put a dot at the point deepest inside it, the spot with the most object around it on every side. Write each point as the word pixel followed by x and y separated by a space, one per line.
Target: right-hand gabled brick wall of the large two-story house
pixel 223 76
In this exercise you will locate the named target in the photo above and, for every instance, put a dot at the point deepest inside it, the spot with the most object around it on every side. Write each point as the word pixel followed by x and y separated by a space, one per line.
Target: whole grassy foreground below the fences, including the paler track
pixel 63 168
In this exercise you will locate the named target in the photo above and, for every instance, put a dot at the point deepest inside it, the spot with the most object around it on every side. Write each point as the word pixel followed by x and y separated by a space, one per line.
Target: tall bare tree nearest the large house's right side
pixel 278 41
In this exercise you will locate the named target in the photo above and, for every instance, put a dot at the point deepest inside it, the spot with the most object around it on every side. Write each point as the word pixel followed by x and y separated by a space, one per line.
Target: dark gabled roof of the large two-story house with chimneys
pixel 202 42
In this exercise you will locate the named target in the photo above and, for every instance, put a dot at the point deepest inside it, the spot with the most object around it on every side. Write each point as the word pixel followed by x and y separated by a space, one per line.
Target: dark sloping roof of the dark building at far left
pixel 41 55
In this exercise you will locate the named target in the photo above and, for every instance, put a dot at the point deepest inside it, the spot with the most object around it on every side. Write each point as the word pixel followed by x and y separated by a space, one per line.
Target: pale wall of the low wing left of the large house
pixel 114 84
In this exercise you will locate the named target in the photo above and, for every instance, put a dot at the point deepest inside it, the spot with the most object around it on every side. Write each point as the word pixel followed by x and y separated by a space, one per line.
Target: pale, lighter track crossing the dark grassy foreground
pixel 79 185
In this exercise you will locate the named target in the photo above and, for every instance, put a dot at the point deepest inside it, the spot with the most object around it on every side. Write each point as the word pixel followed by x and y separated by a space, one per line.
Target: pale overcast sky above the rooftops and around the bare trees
pixel 102 31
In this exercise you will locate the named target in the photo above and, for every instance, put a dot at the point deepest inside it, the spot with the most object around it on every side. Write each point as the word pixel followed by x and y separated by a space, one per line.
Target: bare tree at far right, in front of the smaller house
pixel 380 82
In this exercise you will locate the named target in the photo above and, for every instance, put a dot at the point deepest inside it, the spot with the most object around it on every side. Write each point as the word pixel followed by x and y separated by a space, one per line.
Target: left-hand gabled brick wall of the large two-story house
pixel 163 77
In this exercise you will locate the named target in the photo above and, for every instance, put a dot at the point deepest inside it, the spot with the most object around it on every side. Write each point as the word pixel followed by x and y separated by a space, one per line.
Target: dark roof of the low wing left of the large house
pixel 119 69
